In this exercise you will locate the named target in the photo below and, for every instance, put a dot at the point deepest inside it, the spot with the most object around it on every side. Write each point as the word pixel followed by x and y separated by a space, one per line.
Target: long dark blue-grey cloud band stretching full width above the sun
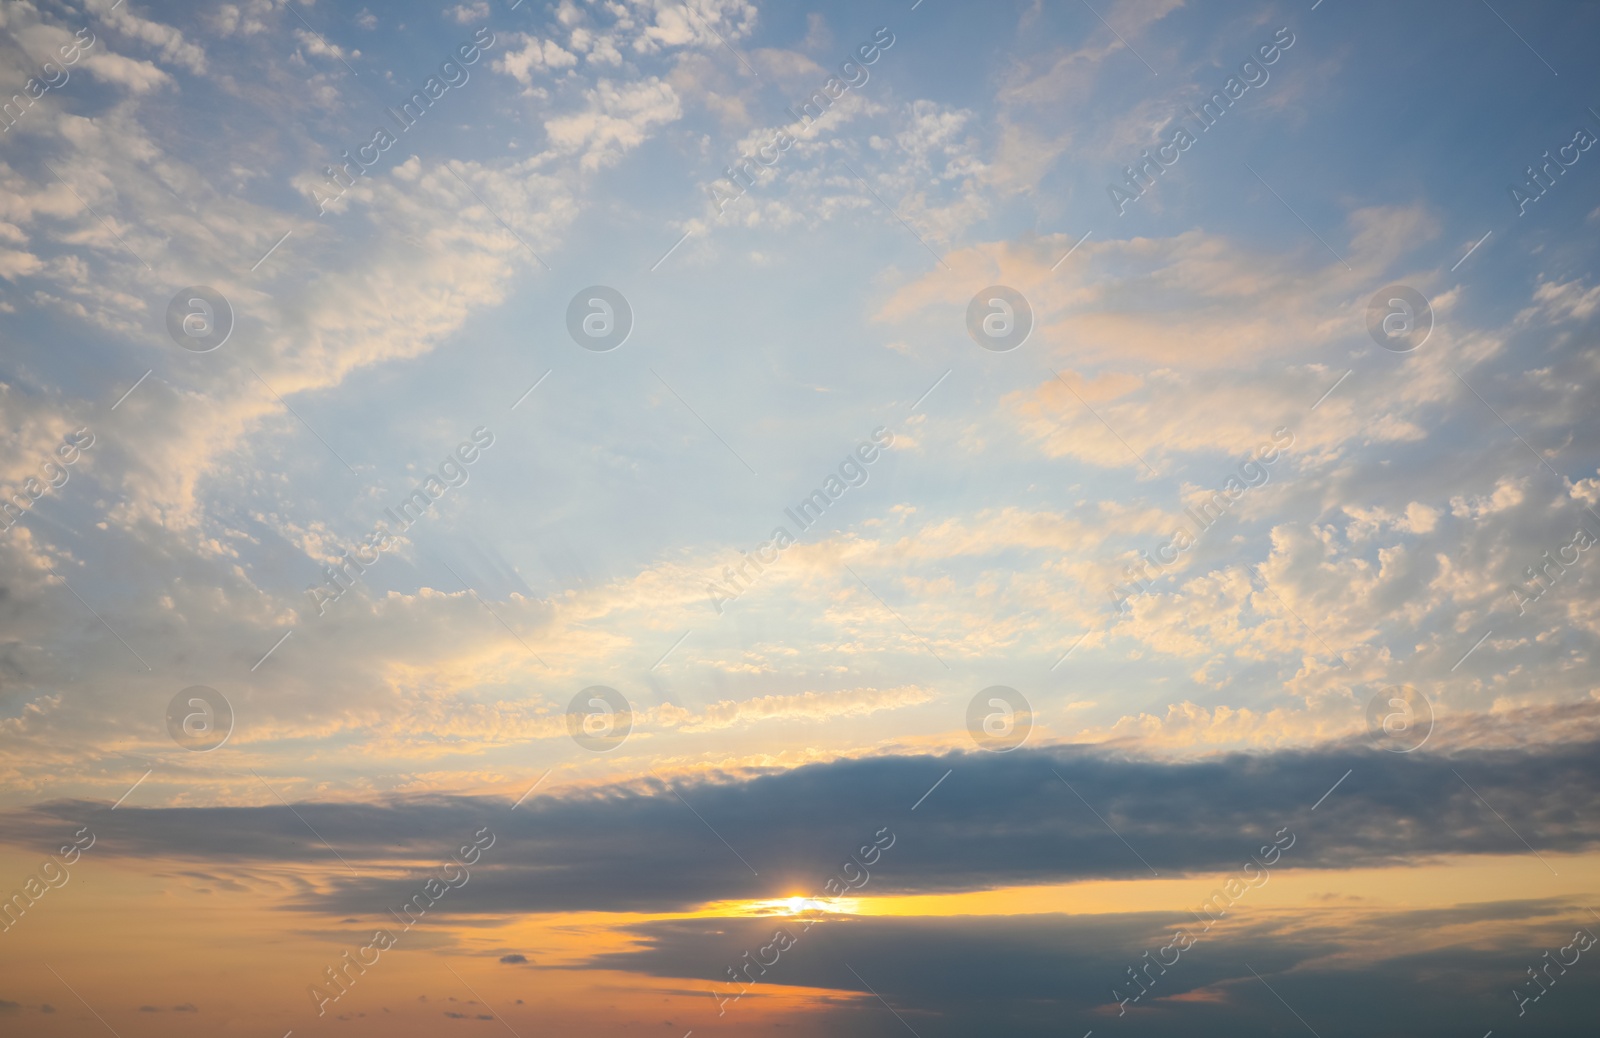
pixel 998 821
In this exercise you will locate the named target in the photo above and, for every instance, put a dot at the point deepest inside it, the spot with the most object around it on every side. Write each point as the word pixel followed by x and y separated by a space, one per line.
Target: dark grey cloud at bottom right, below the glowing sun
pixel 1054 975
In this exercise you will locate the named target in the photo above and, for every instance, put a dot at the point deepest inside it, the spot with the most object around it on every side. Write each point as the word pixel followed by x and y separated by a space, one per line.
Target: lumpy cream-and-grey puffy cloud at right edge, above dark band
pixel 1393 594
